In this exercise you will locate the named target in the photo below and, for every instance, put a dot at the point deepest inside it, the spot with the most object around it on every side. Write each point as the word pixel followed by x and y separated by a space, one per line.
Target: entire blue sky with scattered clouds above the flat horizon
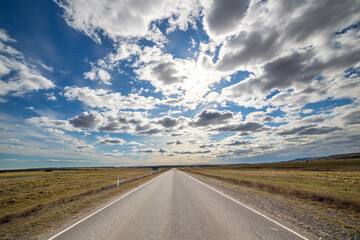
pixel 162 82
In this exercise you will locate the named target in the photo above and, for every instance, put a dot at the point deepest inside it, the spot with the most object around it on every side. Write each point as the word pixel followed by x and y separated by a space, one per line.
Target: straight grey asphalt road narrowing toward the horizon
pixel 176 206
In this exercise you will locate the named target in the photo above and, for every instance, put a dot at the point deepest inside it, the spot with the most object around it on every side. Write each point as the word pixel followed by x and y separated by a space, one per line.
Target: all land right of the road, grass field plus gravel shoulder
pixel 322 196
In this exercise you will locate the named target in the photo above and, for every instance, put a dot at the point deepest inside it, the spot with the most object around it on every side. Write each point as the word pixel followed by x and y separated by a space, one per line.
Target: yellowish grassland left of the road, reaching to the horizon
pixel 32 202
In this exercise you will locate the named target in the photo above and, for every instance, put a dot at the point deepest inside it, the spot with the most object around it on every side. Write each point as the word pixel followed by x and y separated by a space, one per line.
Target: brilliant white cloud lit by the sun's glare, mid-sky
pixel 184 82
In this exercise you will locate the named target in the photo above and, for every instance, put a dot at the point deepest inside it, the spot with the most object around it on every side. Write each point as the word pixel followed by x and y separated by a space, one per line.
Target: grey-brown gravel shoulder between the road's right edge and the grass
pixel 321 221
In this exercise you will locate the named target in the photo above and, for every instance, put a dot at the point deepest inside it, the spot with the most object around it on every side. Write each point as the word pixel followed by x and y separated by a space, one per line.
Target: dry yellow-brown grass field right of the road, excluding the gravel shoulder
pixel 335 182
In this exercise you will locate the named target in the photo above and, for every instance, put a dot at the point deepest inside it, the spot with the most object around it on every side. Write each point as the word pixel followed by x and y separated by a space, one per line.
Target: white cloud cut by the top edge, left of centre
pixel 126 18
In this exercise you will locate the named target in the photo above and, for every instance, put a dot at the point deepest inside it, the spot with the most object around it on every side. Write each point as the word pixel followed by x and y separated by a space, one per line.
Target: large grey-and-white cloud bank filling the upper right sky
pixel 291 47
